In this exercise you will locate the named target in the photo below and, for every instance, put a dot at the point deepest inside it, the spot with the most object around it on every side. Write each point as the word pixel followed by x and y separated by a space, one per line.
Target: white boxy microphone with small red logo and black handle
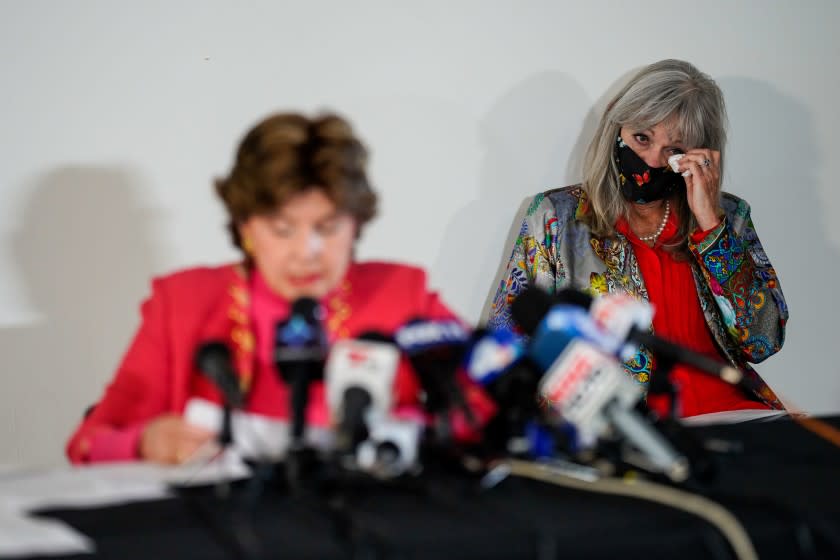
pixel 359 384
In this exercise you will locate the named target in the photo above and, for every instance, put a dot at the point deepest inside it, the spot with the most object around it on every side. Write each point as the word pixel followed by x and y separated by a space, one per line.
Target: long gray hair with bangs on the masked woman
pixel 668 90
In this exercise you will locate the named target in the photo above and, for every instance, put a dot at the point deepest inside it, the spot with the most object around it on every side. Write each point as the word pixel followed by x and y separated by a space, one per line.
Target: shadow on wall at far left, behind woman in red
pixel 85 256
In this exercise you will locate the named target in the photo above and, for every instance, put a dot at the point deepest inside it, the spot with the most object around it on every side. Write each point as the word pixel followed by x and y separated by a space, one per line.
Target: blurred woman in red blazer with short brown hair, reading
pixel 297 198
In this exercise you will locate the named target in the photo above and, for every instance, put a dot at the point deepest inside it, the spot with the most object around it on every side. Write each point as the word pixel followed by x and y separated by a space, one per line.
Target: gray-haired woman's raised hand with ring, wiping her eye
pixel 702 185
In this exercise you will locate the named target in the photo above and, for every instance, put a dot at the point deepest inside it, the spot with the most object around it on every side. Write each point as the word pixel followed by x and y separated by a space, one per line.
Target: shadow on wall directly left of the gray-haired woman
pixel 528 136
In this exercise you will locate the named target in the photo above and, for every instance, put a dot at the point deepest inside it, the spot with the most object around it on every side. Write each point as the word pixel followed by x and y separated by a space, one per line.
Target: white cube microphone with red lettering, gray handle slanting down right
pixel 592 392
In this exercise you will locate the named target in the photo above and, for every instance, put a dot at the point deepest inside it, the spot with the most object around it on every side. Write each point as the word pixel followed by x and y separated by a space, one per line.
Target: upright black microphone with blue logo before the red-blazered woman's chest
pixel 299 353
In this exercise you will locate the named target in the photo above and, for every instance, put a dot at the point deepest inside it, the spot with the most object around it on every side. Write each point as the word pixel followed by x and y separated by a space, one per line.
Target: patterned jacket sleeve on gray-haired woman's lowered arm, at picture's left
pixel 533 260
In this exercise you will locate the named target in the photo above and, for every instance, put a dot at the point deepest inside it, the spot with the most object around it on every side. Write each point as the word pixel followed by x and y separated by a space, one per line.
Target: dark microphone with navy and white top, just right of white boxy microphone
pixel 435 349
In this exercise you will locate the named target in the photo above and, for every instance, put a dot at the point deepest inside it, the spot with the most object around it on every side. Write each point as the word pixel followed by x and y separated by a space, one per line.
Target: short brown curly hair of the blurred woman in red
pixel 286 154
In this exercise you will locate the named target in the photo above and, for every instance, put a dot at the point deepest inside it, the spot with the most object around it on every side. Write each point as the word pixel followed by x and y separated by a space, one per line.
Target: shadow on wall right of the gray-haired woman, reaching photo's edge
pixel 772 161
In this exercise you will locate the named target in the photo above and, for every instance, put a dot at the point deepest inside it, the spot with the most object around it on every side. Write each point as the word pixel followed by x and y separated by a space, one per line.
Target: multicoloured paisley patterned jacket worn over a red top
pixel 739 292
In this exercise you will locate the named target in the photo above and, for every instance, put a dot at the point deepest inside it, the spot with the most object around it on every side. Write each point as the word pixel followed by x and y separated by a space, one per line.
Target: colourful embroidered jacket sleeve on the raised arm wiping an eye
pixel 743 282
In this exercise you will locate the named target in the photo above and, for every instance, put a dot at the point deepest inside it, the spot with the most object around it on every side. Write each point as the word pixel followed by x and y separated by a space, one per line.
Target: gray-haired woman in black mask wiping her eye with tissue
pixel 650 220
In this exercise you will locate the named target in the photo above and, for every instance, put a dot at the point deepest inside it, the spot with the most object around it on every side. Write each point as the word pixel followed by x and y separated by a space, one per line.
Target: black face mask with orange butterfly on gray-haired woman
pixel 640 183
